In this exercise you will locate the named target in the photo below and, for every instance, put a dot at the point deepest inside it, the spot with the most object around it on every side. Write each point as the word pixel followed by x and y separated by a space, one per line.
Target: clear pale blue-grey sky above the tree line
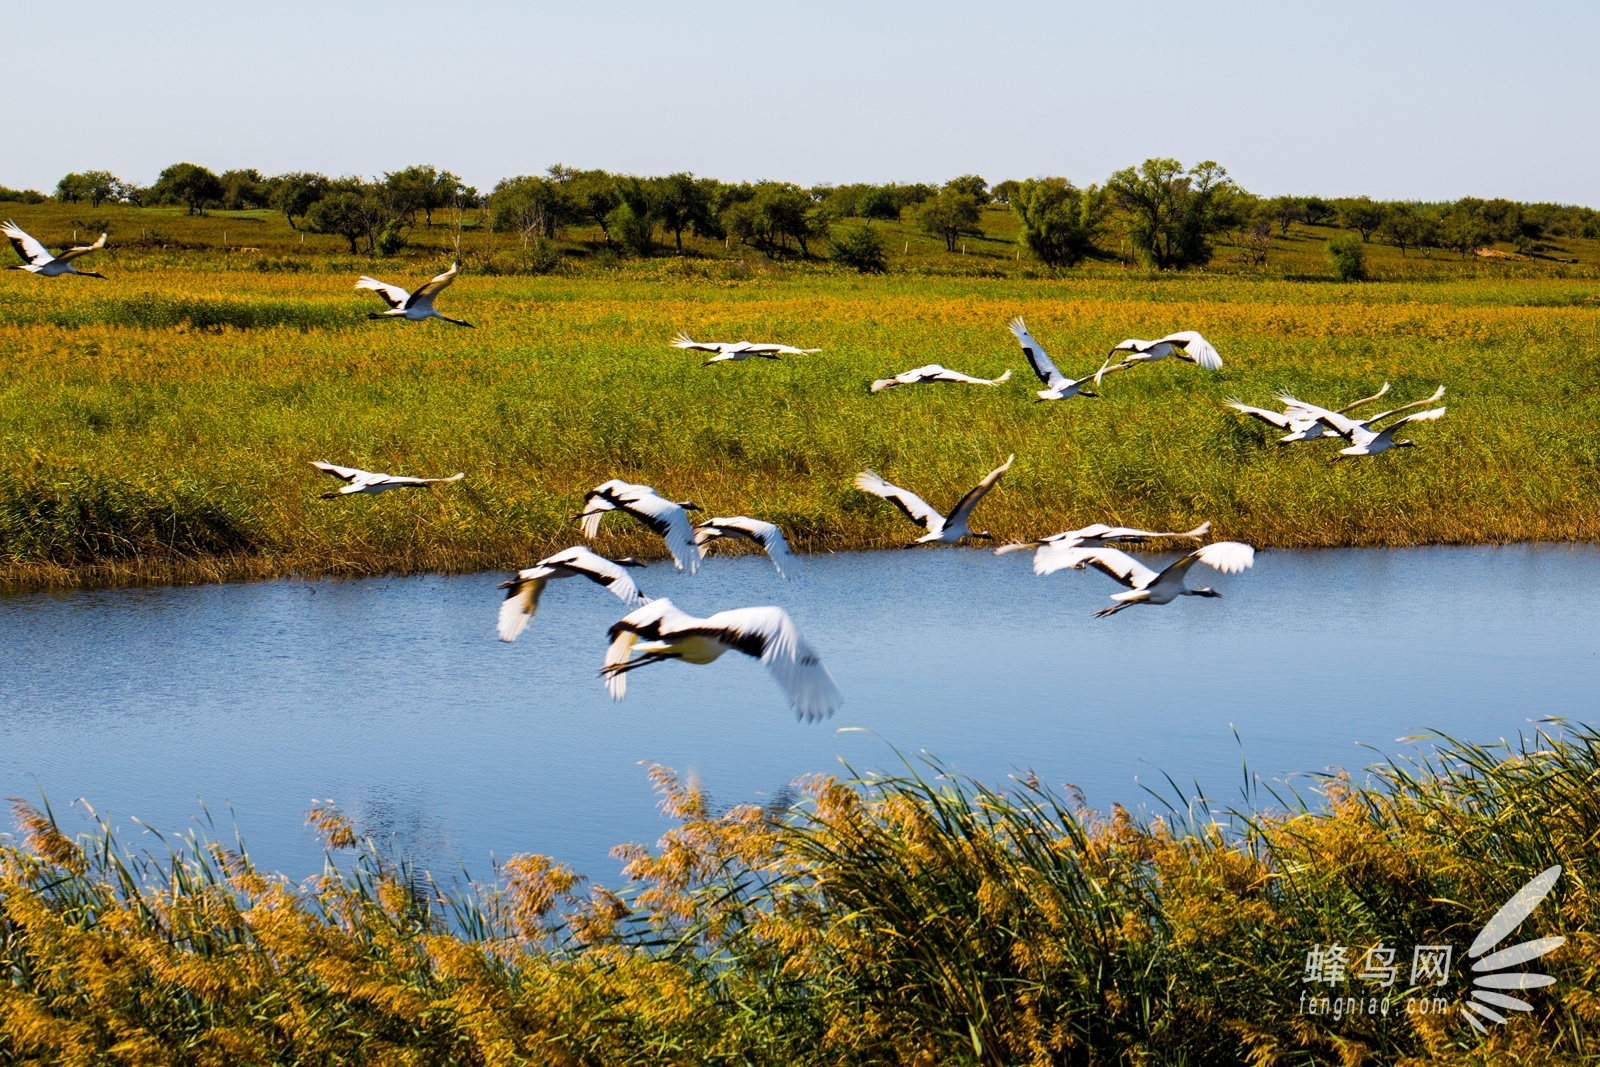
pixel 1398 100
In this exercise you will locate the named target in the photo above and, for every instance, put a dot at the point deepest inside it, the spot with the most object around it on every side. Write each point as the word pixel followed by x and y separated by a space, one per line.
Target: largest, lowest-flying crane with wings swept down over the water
pixel 660 631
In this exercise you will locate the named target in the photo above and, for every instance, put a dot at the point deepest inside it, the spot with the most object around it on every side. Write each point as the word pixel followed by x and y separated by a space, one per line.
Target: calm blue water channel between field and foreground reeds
pixel 394 698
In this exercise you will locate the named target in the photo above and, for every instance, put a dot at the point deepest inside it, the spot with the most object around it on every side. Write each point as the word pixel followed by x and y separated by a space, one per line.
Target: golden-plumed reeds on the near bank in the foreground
pixel 905 919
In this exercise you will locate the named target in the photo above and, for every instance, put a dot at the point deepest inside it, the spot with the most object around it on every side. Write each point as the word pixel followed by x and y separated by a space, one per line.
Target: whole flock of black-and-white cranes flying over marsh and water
pixel 657 631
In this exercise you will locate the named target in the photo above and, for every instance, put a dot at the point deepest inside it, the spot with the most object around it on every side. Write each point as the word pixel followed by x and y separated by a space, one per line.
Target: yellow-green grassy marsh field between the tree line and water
pixel 159 425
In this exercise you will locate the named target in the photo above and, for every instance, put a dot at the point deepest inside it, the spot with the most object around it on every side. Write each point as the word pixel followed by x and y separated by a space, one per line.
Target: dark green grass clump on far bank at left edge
pixel 74 518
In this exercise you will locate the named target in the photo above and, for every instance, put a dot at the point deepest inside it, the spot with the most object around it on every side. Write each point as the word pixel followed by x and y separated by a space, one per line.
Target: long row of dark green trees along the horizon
pixel 1161 214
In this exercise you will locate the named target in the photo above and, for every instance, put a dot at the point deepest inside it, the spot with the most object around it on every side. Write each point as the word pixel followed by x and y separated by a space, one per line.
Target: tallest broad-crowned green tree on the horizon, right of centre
pixel 1172 215
